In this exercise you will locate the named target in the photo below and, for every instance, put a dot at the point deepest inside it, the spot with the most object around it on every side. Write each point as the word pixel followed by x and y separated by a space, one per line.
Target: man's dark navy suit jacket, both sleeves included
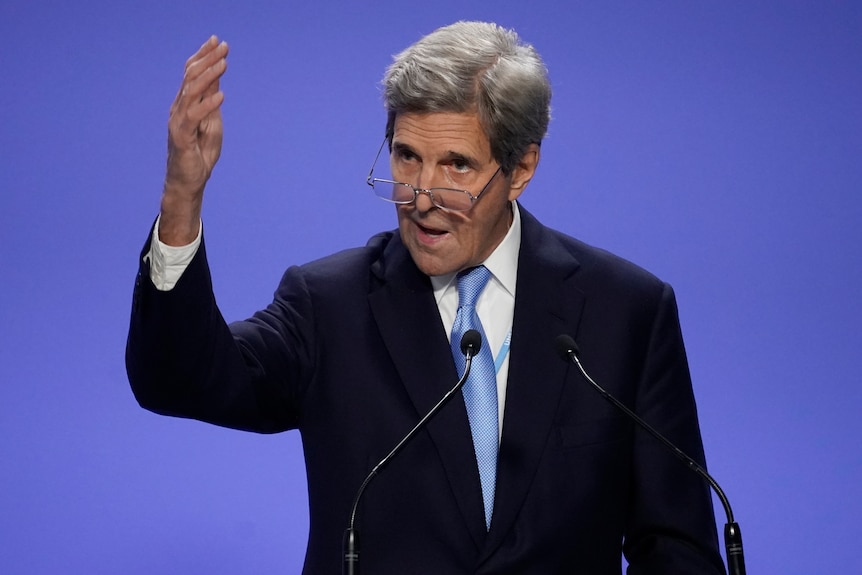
pixel 352 352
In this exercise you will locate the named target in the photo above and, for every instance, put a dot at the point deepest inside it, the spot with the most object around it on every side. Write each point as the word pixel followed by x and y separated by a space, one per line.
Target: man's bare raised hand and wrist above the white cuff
pixel 194 142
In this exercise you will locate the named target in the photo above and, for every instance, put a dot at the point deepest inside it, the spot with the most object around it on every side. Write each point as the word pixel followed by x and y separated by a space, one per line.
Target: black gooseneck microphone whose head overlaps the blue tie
pixel 471 342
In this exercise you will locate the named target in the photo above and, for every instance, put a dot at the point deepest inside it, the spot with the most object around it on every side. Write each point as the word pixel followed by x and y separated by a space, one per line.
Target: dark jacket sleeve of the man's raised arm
pixel 183 360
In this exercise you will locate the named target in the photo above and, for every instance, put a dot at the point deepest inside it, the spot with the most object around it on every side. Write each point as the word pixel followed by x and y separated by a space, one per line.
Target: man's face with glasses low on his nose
pixel 439 145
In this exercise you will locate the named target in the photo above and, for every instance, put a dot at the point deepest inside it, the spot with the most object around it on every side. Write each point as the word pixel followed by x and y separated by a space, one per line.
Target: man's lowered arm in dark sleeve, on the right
pixel 672 527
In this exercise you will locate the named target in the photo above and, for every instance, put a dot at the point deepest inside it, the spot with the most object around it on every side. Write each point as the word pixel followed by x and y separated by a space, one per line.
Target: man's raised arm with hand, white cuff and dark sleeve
pixel 181 357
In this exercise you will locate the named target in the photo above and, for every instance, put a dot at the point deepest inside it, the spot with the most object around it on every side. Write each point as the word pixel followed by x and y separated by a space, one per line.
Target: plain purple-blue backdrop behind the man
pixel 718 144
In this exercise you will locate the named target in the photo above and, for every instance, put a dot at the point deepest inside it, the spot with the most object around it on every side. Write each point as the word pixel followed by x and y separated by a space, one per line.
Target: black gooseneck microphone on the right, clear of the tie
pixel 568 350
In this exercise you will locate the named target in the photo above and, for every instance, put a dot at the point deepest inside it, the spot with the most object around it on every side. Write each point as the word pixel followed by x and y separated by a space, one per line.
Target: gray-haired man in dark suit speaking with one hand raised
pixel 355 347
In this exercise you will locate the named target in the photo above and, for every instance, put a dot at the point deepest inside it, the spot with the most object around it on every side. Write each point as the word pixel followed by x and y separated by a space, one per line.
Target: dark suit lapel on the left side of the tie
pixel 403 306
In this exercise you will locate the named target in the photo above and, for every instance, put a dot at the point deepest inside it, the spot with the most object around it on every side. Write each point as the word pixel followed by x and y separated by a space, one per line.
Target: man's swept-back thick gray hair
pixel 475 67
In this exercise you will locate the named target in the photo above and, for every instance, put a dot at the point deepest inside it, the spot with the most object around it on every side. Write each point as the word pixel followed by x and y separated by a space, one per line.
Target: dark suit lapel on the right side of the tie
pixel 536 372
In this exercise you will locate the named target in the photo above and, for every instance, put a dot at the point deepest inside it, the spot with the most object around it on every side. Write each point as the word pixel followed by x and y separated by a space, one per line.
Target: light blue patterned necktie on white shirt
pixel 480 390
